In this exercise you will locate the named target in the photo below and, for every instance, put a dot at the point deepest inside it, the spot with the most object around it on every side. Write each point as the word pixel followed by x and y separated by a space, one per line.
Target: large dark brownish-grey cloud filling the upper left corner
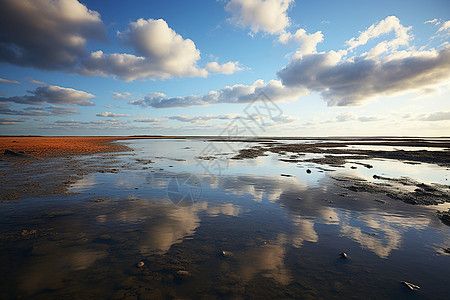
pixel 47 34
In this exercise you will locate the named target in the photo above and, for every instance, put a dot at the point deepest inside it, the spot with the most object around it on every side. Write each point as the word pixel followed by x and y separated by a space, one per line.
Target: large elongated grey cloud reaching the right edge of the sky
pixel 352 82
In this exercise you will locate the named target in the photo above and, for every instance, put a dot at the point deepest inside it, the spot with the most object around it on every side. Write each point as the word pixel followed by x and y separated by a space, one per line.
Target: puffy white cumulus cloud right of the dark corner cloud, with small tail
pixel 160 53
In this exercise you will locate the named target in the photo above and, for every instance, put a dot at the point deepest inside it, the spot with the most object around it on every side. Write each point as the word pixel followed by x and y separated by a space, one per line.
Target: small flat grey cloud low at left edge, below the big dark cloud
pixel 53 94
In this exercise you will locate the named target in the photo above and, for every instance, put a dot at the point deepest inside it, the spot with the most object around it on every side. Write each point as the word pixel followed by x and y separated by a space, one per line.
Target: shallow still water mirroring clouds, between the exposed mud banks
pixel 281 235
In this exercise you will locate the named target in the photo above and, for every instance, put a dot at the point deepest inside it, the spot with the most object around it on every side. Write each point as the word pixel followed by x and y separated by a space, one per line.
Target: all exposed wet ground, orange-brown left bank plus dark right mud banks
pixel 37 159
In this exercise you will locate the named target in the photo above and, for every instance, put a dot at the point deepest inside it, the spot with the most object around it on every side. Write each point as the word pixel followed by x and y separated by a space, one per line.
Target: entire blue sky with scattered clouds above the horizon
pixel 251 67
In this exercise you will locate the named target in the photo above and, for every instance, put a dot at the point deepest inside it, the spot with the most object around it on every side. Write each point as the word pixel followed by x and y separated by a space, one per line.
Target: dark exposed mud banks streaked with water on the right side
pixel 337 154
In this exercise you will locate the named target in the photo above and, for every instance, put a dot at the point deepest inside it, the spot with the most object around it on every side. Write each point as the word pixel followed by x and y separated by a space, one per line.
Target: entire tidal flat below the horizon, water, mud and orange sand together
pixel 214 218
